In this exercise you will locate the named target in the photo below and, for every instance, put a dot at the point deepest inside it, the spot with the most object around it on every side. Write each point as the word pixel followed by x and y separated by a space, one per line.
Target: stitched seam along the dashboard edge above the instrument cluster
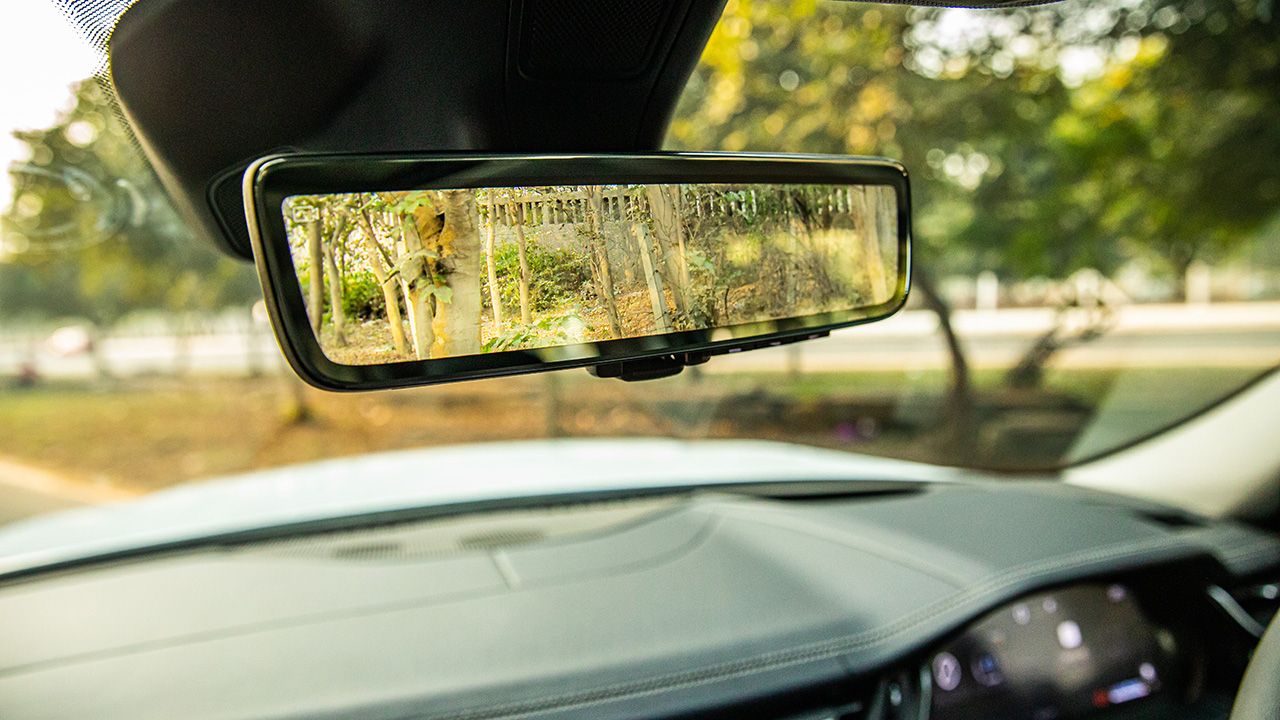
pixel 1002 581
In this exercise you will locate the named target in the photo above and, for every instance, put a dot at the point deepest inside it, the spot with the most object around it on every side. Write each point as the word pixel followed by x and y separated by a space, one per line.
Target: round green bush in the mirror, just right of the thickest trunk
pixel 557 276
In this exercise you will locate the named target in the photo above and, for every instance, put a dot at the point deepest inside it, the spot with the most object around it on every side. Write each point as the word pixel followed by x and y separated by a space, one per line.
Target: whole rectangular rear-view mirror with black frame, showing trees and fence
pixel 390 272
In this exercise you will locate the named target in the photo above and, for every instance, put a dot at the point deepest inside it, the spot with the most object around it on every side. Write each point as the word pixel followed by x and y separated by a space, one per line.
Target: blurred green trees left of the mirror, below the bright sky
pixel 131 253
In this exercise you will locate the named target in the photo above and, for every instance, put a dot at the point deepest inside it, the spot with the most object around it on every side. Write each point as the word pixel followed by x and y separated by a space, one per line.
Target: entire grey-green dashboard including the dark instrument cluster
pixel 980 600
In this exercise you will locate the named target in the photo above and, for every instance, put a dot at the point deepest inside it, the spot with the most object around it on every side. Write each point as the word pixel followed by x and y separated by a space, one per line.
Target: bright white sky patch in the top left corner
pixel 42 56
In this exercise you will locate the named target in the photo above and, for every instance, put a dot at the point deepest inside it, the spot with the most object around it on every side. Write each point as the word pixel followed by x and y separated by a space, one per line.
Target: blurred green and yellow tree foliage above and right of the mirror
pixel 1021 162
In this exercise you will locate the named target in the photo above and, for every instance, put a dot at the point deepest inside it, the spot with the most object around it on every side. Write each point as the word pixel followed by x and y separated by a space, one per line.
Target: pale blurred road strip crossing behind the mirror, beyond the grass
pixel 1227 335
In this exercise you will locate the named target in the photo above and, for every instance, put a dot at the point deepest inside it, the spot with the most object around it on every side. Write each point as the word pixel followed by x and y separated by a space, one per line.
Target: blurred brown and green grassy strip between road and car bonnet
pixel 147 435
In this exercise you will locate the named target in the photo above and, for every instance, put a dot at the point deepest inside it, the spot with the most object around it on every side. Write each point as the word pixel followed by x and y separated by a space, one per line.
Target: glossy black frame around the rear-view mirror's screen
pixel 269 181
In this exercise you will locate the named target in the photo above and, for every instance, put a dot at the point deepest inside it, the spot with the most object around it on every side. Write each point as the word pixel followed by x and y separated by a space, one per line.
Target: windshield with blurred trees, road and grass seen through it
pixel 1096 261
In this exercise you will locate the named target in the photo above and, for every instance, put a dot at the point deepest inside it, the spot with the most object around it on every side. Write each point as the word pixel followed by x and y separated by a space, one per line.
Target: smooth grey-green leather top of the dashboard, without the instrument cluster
pixel 687 607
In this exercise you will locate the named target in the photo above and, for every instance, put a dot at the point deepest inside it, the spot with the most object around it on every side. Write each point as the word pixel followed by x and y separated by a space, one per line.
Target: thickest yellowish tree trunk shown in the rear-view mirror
pixel 458 320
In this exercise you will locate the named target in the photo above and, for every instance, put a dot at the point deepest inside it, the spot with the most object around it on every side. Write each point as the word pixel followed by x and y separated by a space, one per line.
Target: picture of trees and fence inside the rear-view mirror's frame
pixel 438 274
